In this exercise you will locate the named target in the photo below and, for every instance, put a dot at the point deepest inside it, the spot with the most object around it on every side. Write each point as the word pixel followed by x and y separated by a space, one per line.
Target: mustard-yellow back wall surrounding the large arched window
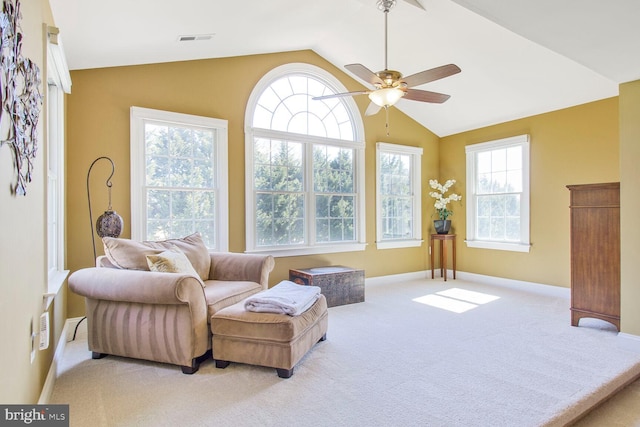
pixel 98 125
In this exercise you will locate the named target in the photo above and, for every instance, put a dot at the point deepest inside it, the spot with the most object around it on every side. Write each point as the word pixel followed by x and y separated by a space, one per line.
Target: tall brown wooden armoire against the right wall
pixel 595 252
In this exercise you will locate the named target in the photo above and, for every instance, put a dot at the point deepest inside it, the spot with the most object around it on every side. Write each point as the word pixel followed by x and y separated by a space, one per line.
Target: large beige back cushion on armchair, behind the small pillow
pixel 132 255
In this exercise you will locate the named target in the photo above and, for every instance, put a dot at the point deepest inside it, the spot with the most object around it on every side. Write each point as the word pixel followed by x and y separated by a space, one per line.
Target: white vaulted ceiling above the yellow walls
pixel 518 57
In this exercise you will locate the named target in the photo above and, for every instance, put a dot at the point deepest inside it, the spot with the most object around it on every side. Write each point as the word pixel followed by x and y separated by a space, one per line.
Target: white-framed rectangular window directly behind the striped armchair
pixel 179 177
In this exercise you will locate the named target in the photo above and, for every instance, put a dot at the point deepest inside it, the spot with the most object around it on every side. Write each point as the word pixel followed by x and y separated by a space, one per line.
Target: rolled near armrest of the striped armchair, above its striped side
pixel 145 287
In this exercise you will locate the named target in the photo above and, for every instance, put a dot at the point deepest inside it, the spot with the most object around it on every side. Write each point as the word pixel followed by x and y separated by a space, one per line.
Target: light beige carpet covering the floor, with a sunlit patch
pixel 416 353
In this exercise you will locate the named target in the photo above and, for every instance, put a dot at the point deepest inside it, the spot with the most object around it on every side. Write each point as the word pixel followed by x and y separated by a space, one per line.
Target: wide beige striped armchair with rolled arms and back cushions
pixel 163 316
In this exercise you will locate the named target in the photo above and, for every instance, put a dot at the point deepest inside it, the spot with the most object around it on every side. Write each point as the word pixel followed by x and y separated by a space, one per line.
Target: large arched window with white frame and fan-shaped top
pixel 304 165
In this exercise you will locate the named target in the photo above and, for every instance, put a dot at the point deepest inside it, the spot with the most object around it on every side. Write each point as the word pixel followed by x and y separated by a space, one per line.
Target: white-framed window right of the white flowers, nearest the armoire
pixel 498 194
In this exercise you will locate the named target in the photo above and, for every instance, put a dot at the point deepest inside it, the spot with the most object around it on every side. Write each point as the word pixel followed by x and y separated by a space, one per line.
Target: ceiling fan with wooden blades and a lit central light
pixel 389 85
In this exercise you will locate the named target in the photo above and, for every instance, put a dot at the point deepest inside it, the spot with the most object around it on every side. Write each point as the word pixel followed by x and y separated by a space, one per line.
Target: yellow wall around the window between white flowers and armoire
pixel 577 145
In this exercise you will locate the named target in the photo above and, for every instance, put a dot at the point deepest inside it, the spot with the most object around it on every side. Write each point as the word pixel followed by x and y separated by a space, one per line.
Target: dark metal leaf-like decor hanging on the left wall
pixel 20 97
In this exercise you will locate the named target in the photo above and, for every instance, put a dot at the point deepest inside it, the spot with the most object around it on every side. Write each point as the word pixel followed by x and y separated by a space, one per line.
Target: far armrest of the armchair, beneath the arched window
pixel 231 266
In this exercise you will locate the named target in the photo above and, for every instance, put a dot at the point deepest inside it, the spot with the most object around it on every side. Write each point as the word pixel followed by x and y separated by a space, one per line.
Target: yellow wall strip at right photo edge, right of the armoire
pixel 630 206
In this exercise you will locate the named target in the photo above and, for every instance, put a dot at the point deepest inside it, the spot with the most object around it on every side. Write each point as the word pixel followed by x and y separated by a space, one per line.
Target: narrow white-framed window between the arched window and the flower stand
pixel 398 196
